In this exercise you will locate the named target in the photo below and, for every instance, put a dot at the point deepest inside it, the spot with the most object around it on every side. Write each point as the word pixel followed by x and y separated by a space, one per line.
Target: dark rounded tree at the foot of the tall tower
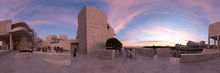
pixel 113 44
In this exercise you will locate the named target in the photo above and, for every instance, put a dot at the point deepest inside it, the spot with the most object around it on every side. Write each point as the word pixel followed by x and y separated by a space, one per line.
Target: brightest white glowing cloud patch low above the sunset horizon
pixel 167 34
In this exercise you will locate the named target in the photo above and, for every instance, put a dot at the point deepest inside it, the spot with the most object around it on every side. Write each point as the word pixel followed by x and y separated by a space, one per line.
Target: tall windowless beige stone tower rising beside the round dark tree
pixel 93 29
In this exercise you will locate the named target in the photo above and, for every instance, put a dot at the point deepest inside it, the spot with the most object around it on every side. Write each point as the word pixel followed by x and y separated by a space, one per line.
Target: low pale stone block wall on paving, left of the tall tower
pixel 63 59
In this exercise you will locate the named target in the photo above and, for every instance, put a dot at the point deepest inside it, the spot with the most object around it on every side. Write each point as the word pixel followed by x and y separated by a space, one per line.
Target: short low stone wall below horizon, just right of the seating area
pixel 145 51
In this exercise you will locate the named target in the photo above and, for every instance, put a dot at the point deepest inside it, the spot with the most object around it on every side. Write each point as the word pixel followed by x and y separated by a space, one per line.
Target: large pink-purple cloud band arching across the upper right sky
pixel 121 12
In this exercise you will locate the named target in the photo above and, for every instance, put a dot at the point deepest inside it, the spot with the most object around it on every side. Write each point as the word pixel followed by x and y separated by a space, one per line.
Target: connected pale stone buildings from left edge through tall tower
pixel 93 31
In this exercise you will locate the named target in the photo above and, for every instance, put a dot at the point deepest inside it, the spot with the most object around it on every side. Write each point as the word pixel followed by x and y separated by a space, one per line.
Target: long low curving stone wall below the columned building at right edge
pixel 199 57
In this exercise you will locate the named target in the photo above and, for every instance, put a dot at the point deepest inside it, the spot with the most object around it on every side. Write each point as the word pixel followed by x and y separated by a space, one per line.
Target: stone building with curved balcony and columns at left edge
pixel 16 35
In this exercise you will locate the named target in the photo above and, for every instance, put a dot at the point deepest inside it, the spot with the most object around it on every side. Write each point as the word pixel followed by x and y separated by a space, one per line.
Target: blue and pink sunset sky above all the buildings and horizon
pixel 135 22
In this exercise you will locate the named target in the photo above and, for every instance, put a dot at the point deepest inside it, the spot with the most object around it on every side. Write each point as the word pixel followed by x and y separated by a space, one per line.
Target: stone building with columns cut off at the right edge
pixel 214 33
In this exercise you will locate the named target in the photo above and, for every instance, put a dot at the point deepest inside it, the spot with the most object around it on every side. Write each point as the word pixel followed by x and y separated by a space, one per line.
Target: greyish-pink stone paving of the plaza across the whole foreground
pixel 89 64
